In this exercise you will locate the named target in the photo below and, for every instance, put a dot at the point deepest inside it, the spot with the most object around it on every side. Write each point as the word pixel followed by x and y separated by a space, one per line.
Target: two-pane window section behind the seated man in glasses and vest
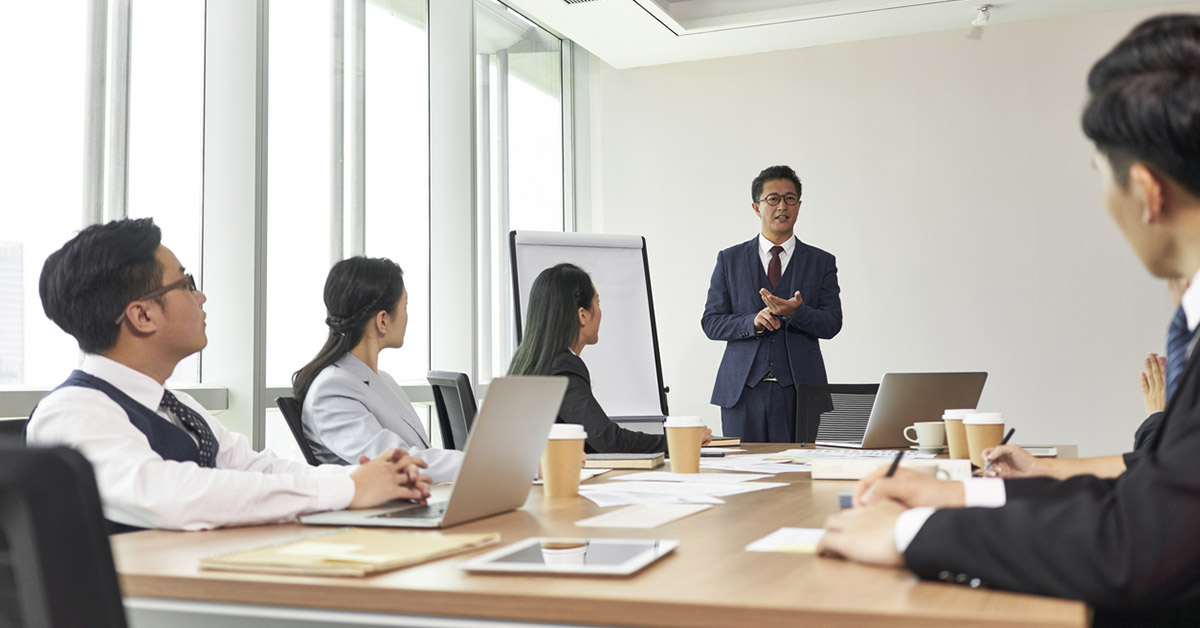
pixel 145 127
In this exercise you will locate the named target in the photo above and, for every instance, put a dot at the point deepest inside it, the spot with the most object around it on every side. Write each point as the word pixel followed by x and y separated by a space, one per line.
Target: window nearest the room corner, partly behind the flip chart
pixel 520 125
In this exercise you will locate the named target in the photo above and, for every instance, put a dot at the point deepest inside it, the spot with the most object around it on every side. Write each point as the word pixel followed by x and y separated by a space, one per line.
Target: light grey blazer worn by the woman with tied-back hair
pixel 352 411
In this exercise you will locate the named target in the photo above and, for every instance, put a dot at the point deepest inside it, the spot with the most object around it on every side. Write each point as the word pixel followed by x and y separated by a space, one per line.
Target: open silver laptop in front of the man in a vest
pixel 499 465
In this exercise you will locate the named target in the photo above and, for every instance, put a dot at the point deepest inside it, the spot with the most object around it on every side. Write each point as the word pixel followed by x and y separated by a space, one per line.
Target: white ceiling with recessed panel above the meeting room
pixel 639 33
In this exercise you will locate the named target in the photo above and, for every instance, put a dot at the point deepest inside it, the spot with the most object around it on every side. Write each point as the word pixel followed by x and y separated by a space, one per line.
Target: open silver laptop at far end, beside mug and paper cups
pixel 903 399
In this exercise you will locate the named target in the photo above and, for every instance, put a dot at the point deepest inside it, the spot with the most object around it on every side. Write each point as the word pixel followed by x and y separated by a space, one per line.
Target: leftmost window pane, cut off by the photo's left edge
pixel 41 177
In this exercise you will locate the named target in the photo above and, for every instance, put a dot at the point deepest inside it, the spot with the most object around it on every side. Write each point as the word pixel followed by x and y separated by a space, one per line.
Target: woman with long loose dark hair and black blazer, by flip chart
pixel 565 318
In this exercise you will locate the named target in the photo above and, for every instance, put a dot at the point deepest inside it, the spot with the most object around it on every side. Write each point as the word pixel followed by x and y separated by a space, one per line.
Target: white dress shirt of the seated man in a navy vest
pixel 139 488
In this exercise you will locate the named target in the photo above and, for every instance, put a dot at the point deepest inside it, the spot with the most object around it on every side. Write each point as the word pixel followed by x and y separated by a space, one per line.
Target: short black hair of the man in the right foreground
pixel 1145 101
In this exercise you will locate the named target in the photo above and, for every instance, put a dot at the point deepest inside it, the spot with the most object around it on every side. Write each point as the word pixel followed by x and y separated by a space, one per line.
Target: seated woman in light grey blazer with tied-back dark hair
pixel 351 408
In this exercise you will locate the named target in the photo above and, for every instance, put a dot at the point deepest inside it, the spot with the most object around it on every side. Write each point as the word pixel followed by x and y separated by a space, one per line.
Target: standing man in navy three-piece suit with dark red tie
pixel 771 301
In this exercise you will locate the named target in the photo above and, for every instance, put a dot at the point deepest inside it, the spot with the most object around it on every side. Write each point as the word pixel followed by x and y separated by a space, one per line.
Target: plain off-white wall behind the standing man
pixel 949 175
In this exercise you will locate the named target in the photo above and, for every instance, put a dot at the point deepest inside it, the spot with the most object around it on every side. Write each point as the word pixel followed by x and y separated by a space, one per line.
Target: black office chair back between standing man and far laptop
pixel 833 412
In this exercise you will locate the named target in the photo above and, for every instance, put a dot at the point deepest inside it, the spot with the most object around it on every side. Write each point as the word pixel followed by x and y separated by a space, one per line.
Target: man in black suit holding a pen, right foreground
pixel 1130 545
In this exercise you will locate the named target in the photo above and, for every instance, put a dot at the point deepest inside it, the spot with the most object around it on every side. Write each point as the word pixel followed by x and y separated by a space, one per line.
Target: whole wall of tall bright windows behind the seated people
pixel 327 104
